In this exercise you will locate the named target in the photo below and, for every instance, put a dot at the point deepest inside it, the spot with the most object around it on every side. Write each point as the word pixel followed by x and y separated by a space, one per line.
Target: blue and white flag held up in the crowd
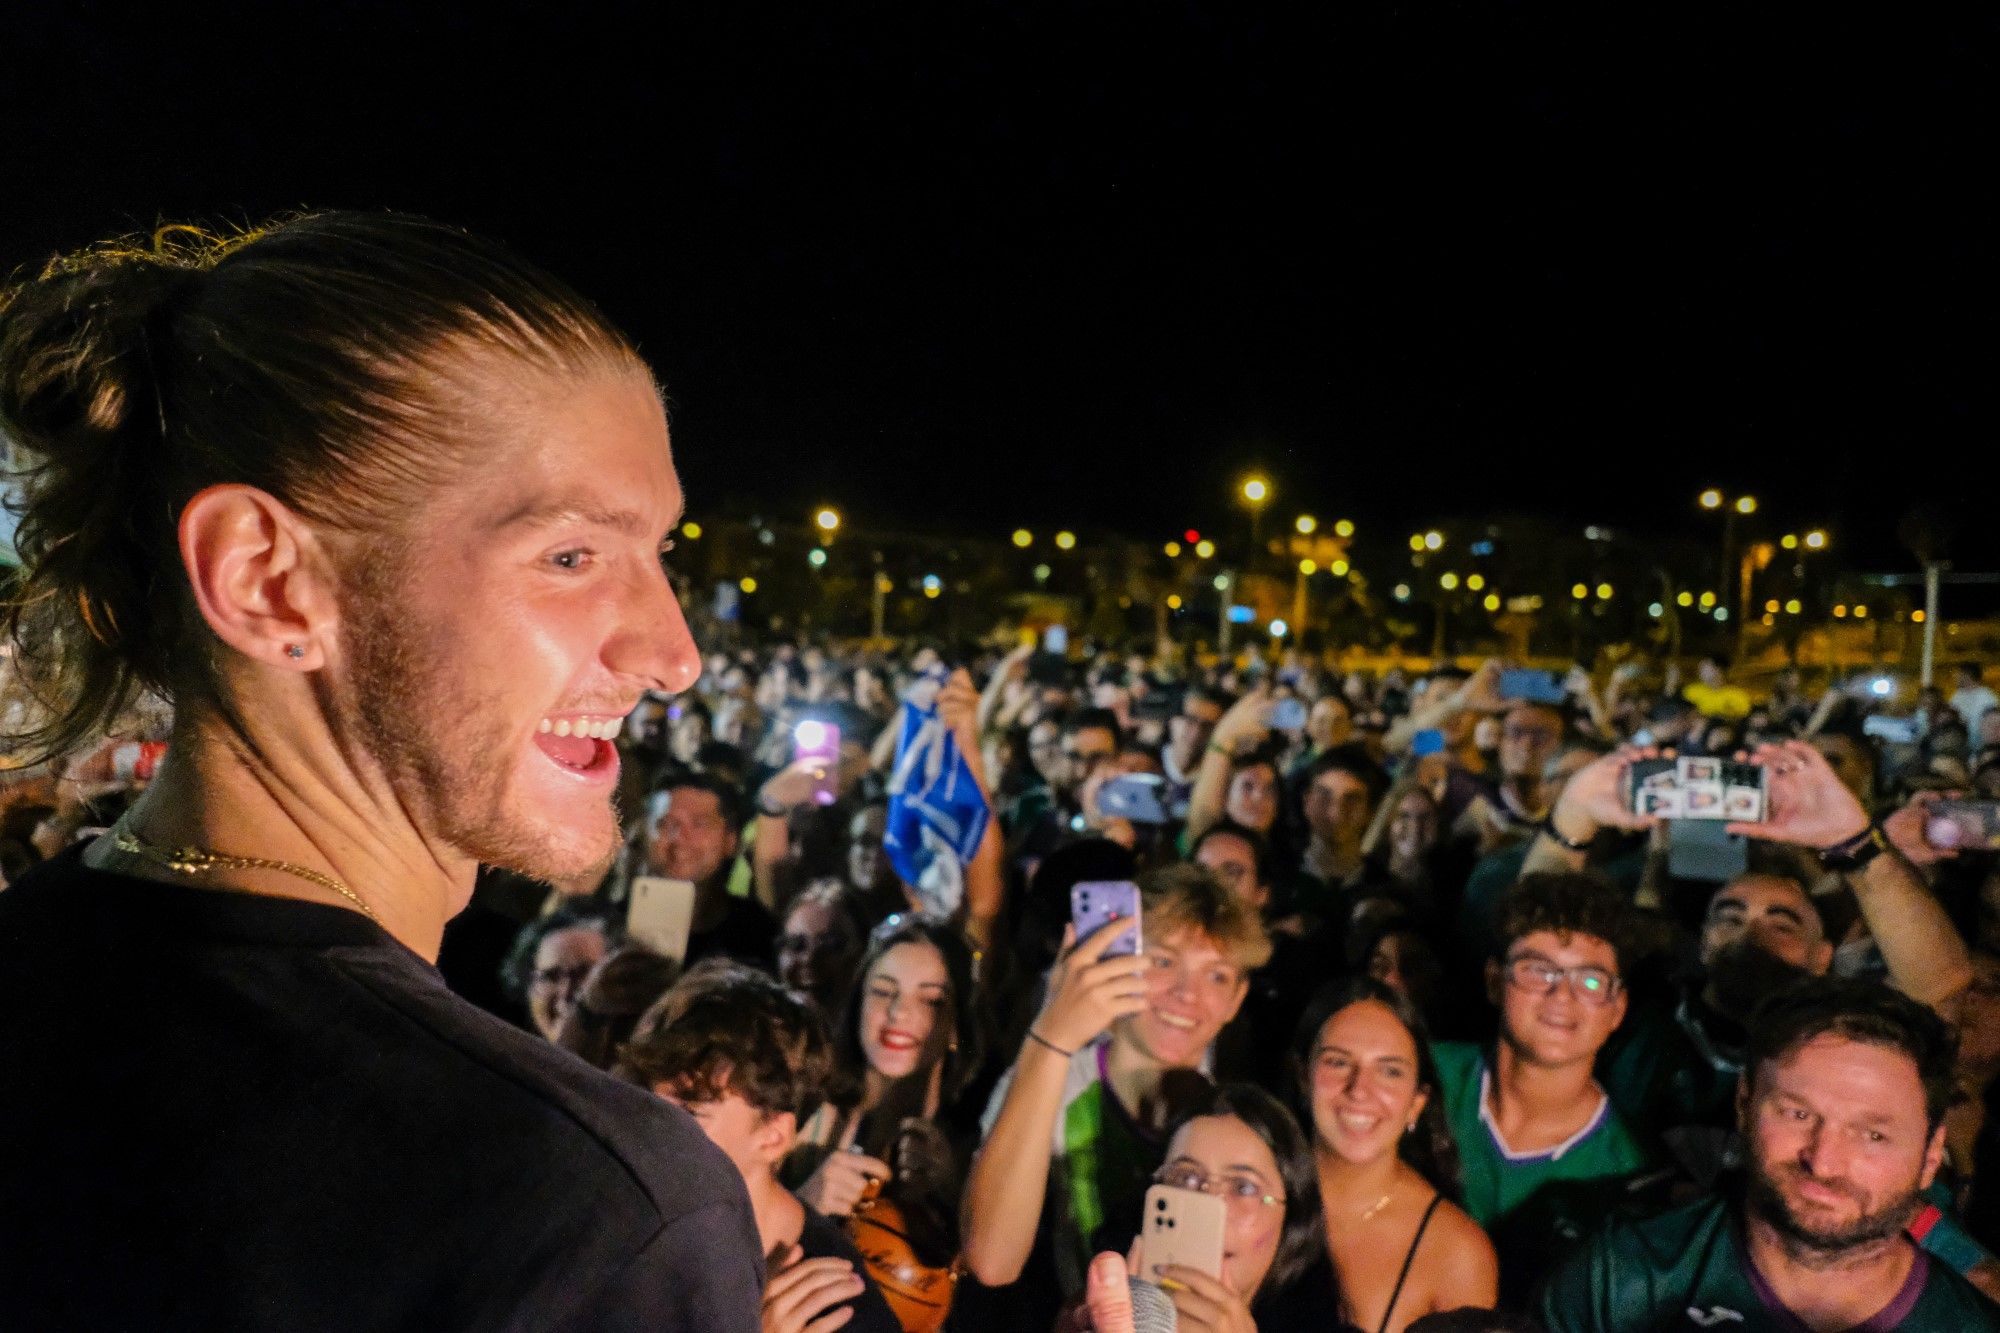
pixel 937 812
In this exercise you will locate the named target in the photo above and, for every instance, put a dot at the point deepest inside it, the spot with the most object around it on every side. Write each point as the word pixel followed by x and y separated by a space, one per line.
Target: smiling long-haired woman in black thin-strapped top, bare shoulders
pixel 1387 1166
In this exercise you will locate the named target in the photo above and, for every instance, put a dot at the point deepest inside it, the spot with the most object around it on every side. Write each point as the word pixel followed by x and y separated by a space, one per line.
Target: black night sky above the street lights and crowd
pixel 965 267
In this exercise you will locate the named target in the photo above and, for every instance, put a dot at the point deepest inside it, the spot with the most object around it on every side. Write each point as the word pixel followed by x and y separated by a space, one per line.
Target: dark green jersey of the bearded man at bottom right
pixel 1691 1270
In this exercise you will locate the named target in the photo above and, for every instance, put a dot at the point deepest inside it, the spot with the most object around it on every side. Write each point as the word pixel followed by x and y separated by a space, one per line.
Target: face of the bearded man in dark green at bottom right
pixel 1839 1142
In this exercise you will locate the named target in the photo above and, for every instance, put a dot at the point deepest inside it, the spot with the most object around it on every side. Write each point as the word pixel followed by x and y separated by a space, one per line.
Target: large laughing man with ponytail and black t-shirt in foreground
pixel 381 509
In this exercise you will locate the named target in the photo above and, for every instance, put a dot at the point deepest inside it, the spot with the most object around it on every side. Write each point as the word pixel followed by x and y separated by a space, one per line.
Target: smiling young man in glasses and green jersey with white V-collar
pixel 1531 1112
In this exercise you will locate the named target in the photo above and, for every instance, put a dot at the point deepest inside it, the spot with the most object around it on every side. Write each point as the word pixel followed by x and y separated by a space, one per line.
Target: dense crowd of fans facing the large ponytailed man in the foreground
pixel 1421 994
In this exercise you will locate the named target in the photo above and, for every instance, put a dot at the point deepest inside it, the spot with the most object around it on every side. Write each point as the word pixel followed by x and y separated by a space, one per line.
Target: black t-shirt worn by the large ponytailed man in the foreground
pixel 233 1112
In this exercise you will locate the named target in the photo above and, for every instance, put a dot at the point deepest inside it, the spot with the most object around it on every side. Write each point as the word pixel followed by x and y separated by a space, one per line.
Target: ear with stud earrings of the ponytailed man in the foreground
pixel 259 575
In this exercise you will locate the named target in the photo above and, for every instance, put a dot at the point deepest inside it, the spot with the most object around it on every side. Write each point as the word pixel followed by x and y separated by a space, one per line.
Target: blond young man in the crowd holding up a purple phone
pixel 1077 1128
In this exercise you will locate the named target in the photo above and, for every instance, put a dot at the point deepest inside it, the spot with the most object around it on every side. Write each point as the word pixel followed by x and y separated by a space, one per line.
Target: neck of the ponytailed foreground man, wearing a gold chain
pixel 251 792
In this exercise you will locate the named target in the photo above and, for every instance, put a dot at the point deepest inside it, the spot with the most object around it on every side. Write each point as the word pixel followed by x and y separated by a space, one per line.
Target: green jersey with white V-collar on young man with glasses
pixel 1497 1180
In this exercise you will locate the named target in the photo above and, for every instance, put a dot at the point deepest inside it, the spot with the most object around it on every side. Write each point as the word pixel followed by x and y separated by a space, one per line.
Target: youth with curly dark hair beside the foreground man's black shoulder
pixel 751 1064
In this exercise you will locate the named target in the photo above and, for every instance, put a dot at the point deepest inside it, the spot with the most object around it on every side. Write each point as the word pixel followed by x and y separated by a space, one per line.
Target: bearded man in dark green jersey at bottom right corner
pixel 1843 1114
